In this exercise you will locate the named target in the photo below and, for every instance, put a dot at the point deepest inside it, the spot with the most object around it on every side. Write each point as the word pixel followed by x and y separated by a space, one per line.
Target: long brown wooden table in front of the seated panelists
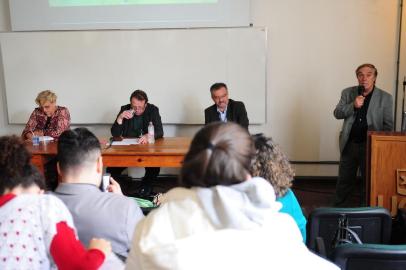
pixel 165 152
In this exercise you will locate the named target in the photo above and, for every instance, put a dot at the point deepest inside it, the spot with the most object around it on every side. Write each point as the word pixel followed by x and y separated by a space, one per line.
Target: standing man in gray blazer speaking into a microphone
pixel 363 107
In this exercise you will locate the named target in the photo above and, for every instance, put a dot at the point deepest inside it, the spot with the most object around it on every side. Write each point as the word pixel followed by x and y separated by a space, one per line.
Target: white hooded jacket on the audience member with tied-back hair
pixel 236 227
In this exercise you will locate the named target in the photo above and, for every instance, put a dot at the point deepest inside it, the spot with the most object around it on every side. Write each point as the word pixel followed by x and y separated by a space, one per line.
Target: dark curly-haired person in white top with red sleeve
pixel 37 231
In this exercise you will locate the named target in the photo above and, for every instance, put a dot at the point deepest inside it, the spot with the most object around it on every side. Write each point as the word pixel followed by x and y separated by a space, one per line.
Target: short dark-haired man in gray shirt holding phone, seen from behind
pixel 110 215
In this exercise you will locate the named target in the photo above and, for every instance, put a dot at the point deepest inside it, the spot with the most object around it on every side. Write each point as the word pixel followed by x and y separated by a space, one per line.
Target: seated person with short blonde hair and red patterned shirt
pixel 48 119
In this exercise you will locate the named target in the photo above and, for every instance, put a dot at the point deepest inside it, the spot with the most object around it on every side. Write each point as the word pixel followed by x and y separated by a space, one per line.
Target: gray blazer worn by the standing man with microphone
pixel 379 114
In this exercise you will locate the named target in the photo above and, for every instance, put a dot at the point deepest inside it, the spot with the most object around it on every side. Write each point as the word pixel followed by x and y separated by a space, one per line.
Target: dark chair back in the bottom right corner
pixel 370 257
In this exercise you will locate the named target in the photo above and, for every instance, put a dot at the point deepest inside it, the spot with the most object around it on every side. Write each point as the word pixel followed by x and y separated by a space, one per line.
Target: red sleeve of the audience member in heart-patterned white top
pixel 69 253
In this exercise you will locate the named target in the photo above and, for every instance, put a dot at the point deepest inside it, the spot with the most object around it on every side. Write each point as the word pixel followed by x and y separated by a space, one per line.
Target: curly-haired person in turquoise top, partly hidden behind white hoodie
pixel 273 165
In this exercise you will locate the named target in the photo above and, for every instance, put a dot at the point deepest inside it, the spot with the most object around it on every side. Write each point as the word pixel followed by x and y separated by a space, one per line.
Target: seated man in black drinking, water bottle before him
pixel 132 122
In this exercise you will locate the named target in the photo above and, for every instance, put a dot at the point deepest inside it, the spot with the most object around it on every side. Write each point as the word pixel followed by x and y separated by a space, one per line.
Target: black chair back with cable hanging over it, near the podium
pixel 373 225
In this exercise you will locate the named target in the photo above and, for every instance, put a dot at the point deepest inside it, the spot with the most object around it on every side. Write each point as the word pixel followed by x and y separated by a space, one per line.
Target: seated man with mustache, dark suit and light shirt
pixel 225 109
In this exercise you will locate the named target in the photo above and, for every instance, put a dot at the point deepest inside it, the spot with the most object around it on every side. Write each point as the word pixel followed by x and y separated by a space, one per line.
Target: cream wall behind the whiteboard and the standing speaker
pixel 314 47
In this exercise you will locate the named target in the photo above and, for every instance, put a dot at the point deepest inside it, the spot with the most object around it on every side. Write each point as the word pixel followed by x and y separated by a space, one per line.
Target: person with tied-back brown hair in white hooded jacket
pixel 221 217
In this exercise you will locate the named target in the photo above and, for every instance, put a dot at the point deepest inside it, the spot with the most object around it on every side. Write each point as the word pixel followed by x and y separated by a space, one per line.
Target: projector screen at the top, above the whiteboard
pixel 28 15
